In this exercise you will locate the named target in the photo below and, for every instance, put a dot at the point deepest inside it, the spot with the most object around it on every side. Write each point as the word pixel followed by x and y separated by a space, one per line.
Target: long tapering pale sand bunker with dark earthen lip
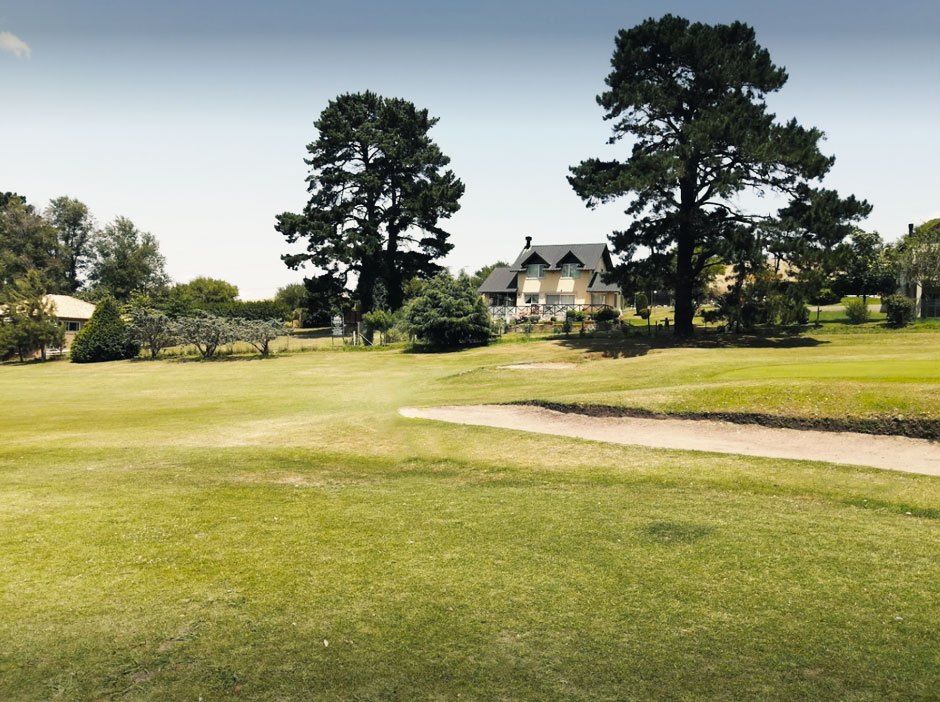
pixel 889 452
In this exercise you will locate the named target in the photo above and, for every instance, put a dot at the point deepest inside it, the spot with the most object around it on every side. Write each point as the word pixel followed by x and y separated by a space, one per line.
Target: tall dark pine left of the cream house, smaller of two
pixel 377 191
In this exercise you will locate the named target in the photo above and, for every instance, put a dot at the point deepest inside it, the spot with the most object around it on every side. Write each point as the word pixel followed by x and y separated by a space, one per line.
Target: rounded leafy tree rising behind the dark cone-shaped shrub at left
pixel 127 260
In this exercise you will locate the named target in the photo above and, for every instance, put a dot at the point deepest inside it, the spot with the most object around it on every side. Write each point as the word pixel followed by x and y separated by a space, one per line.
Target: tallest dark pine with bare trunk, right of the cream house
pixel 691 97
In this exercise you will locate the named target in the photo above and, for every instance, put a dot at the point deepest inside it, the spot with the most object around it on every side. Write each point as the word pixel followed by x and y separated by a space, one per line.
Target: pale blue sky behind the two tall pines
pixel 192 118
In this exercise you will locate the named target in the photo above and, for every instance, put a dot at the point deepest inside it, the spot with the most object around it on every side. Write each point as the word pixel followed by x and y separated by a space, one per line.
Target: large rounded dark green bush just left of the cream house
pixel 449 313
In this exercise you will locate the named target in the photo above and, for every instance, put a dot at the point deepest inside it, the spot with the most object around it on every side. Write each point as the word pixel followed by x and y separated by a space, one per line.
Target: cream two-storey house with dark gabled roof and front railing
pixel 549 279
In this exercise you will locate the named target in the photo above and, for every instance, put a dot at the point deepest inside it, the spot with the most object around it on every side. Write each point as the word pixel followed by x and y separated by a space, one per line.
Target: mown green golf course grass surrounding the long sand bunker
pixel 273 530
